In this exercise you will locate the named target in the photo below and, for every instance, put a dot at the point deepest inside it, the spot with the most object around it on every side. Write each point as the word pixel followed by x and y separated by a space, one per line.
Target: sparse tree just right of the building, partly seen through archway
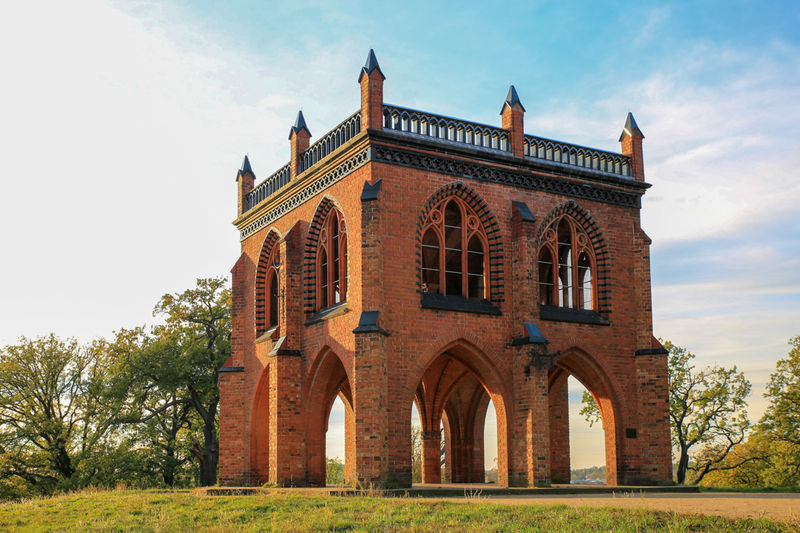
pixel 707 414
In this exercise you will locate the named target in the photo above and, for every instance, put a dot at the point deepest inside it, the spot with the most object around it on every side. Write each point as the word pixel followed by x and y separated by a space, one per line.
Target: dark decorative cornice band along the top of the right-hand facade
pixel 476 171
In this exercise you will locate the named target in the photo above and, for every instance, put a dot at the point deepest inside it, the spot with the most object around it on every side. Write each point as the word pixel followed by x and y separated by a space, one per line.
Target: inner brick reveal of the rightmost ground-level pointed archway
pixel 582 367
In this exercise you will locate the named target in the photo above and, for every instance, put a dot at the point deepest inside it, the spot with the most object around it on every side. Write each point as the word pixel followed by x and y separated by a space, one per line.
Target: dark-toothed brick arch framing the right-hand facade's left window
pixel 470 197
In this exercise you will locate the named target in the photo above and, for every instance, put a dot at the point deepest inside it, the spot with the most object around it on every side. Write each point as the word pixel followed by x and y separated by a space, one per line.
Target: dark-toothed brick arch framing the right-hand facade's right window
pixel 601 255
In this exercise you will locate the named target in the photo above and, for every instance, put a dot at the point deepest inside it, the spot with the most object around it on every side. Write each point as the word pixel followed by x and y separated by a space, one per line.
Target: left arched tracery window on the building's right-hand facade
pixel 454 246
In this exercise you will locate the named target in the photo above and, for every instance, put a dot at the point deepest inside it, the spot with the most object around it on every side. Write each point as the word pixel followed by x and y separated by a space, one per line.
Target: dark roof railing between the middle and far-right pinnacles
pixel 577 156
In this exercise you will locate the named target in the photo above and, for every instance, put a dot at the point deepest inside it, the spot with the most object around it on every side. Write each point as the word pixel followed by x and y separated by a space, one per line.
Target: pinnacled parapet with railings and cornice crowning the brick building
pixel 501 154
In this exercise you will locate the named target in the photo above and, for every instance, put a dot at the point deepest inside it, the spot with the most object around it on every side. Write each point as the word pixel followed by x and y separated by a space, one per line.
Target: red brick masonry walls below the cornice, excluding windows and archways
pixel 385 371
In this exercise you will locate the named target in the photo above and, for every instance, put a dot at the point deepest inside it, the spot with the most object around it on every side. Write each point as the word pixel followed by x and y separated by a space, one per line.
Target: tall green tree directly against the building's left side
pixel 194 342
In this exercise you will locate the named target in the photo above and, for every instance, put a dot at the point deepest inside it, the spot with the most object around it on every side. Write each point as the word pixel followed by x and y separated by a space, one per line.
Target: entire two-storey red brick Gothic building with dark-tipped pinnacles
pixel 408 258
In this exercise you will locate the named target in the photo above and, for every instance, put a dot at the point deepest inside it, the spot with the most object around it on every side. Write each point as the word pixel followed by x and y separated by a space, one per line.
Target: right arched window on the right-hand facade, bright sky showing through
pixel 565 266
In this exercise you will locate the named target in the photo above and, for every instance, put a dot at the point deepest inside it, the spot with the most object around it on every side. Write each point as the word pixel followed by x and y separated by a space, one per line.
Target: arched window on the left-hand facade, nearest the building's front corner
pixel 332 261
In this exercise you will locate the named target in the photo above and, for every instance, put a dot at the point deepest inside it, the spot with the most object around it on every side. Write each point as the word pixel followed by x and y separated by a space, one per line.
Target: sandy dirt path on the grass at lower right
pixel 784 507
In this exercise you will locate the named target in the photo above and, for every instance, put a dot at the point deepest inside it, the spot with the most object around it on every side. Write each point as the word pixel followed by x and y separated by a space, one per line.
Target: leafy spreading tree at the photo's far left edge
pixel 56 411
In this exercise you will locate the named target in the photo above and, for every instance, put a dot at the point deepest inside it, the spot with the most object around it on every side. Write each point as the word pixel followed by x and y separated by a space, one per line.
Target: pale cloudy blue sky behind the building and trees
pixel 122 125
